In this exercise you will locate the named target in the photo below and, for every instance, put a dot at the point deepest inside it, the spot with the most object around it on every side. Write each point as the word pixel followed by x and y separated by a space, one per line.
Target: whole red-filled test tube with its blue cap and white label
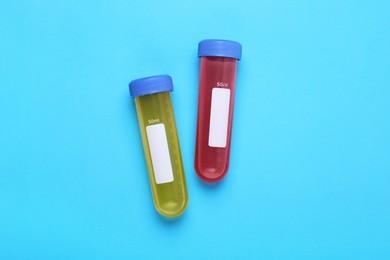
pixel 218 67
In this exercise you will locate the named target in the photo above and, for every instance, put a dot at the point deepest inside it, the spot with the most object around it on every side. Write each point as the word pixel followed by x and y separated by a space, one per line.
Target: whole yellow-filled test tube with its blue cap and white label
pixel 160 143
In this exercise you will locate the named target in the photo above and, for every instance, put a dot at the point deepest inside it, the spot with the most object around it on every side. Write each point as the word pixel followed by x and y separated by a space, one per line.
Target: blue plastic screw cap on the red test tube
pixel 220 48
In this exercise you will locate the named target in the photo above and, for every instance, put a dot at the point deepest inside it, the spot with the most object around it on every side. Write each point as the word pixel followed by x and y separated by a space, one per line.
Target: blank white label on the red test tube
pixel 219 116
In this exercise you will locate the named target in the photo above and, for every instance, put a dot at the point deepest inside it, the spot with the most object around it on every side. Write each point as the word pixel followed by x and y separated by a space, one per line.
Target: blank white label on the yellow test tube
pixel 159 152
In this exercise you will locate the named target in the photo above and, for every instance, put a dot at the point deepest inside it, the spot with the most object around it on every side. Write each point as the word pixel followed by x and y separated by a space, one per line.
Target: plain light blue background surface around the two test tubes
pixel 310 159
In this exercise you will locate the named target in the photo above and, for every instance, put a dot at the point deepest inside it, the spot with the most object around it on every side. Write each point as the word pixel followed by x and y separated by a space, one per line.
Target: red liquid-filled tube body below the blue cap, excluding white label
pixel 212 163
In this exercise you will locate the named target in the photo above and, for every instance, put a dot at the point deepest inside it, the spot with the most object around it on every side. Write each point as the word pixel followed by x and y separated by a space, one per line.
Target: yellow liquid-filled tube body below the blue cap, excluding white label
pixel 170 199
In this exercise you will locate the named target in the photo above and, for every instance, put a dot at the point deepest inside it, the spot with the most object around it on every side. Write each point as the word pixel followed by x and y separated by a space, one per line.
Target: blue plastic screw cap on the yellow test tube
pixel 150 85
